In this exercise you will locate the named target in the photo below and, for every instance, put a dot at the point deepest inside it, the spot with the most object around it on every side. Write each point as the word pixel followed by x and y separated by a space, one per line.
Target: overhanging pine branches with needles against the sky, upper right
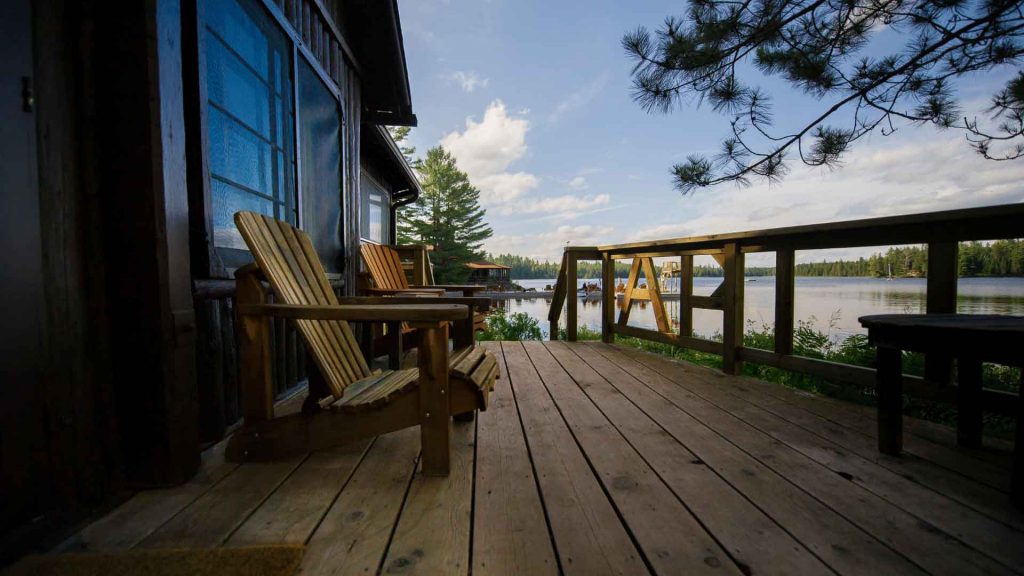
pixel 828 50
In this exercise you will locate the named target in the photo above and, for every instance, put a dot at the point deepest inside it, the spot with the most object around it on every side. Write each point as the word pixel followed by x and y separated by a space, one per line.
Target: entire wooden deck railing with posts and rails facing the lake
pixel 942 232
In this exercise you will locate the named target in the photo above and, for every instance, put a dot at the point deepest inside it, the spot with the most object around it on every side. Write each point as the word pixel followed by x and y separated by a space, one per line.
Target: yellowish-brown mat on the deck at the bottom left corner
pixel 253 561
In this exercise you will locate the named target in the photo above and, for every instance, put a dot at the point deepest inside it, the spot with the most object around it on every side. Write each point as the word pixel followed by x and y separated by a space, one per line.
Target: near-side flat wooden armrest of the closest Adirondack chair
pixel 362 313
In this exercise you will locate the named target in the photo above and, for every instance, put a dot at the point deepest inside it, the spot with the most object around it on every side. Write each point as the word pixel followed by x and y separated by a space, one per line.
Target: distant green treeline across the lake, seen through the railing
pixel 1003 258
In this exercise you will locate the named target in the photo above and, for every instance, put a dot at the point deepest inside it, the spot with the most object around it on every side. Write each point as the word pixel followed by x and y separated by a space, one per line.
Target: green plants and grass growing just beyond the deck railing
pixel 855 350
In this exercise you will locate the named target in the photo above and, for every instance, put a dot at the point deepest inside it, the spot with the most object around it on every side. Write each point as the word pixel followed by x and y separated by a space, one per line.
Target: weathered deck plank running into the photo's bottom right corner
pixel 929 548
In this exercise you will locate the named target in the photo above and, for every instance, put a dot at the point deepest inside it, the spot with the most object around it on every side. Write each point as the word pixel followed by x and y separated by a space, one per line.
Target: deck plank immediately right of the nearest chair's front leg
pixel 510 532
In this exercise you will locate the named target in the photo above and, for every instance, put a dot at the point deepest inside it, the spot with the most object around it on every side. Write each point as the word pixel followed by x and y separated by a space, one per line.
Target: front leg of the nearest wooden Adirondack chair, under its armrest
pixel 436 410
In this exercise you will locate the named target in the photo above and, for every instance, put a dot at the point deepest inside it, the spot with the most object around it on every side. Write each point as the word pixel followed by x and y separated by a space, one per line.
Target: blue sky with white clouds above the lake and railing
pixel 534 100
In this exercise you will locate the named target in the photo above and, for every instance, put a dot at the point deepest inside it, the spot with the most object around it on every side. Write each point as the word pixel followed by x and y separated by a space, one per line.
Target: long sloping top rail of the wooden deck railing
pixel 990 223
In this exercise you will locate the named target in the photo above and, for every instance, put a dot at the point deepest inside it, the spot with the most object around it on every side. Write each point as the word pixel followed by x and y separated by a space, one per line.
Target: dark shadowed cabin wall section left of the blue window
pixel 111 403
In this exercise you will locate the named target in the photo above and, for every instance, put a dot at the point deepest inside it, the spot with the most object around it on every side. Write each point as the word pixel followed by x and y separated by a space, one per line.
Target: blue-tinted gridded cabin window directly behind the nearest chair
pixel 249 120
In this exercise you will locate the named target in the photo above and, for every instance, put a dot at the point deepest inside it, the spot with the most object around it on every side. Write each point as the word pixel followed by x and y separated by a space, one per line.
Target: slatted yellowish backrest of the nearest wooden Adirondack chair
pixel 287 258
